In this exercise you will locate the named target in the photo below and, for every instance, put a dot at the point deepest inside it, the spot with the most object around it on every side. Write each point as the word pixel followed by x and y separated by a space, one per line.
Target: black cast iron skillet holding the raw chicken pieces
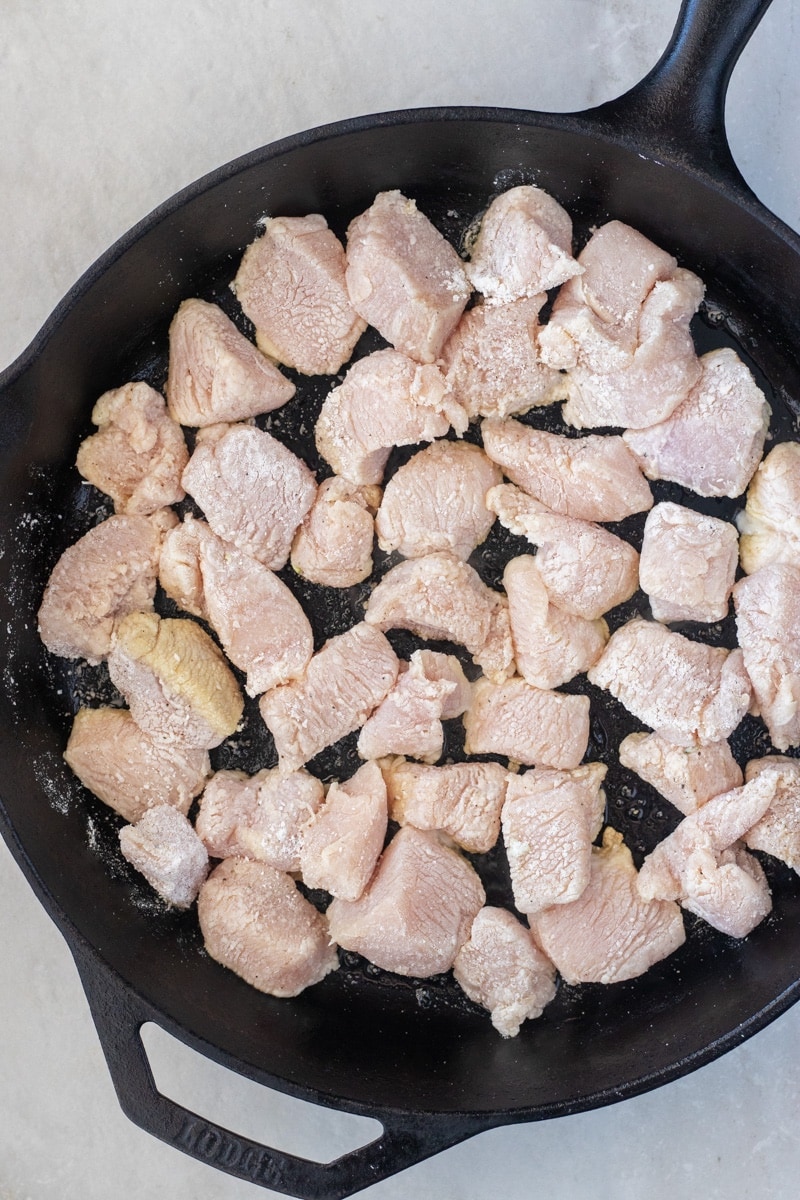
pixel 412 1054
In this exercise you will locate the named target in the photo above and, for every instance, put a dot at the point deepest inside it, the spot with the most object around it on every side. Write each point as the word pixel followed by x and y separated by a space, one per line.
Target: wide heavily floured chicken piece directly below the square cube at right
pixel 685 691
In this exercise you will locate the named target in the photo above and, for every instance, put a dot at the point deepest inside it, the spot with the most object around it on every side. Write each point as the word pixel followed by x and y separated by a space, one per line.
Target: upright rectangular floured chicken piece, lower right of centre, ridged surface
pixel 550 821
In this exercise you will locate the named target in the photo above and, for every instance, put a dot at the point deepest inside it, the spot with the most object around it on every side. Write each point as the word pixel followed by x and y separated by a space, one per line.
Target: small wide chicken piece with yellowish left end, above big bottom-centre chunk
pixel 462 799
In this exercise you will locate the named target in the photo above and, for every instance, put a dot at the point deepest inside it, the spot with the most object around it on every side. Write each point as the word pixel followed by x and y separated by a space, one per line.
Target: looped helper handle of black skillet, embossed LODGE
pixel 119 1016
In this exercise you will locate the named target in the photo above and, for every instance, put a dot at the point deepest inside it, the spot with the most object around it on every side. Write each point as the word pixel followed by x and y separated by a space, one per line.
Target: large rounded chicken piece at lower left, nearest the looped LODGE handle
pixel 257 923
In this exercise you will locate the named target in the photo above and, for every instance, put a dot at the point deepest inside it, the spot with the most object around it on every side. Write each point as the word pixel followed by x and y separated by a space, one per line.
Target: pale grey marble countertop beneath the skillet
pixel 107 111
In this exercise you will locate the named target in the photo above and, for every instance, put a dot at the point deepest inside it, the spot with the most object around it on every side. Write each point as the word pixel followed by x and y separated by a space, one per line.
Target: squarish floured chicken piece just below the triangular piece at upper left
pixel 254 491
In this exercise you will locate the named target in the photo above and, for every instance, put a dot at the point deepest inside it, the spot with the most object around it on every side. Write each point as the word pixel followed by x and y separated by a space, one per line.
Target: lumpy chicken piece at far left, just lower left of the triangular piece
pixel 139 454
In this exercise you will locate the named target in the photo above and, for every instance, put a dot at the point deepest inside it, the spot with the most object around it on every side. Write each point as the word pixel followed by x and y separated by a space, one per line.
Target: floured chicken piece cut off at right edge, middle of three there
pixel 768 627
